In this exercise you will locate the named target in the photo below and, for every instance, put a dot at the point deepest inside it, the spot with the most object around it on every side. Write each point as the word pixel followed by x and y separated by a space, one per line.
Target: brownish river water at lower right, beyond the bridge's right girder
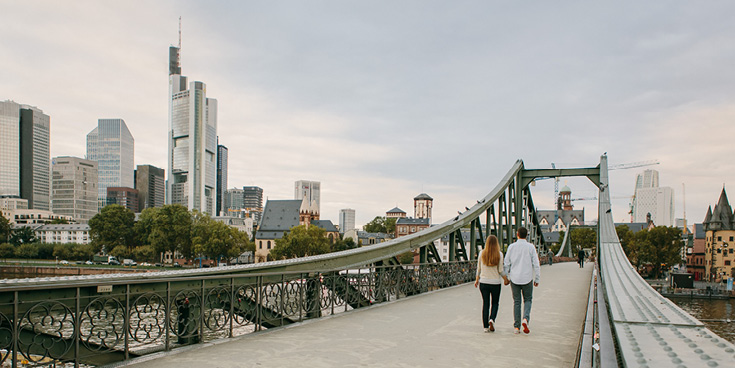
pixel 712 309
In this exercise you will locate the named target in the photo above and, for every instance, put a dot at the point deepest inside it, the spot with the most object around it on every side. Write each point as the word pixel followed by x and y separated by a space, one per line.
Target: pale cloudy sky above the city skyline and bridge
pixel 383 100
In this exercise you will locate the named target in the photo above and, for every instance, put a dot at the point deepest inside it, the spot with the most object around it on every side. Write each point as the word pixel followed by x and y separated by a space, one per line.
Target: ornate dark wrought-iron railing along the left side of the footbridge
pixel 111 321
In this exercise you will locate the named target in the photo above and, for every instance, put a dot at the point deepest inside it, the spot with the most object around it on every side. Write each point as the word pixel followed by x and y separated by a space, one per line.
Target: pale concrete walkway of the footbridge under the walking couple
pixel 438 329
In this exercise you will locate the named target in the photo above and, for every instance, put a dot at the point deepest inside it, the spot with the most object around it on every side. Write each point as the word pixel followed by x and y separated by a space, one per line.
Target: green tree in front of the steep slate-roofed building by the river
pixel 301 242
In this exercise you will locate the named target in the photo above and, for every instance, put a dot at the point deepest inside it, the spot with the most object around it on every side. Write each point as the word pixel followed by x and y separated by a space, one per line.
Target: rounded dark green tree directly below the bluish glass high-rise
pixel 112 227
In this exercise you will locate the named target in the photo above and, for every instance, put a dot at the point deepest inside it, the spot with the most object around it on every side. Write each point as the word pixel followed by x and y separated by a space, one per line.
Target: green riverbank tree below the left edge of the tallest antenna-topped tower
pixel 171 230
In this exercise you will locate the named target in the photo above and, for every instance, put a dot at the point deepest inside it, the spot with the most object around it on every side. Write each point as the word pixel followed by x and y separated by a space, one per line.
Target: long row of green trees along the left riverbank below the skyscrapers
pixel 114 230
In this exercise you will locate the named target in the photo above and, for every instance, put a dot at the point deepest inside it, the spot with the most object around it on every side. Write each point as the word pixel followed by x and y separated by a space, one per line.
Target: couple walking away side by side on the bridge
pixel 520 268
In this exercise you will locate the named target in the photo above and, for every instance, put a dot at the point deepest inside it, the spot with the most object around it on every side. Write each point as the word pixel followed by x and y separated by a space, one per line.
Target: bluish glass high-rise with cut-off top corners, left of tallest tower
pixel 113 147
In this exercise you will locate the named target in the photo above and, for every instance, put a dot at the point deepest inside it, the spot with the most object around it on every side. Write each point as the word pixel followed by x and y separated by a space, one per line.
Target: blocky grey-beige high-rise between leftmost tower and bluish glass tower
pixel 74 188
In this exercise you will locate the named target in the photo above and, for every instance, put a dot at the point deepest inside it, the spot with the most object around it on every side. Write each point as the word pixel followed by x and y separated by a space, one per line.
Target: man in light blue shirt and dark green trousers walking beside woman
pixel 524 272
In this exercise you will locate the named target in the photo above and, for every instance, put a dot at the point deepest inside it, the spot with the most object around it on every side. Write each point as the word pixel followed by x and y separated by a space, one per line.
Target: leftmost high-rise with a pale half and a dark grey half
pixel 25 159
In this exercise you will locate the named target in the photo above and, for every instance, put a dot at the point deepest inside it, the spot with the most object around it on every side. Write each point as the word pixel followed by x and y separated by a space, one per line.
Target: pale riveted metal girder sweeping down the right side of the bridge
pixel 650 330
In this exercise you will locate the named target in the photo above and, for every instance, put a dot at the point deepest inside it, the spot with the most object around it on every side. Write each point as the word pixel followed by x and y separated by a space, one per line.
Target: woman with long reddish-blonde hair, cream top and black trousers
pixel 489 276
